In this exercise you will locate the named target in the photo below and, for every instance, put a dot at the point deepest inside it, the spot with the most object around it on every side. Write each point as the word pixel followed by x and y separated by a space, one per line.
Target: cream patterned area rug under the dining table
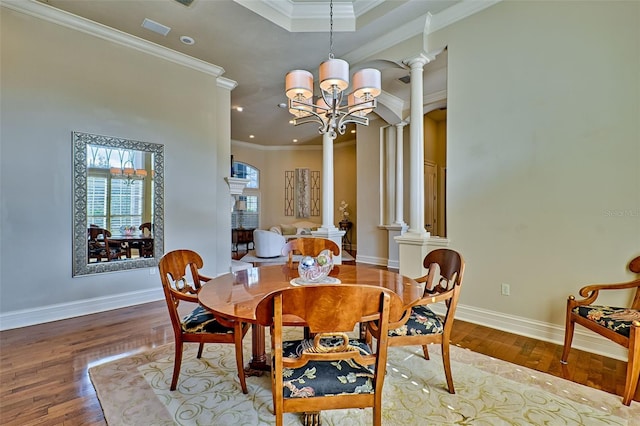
pixel 135 391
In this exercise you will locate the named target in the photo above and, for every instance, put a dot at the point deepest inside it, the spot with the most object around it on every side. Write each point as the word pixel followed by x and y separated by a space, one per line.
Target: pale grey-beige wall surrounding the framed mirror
pixel 56 80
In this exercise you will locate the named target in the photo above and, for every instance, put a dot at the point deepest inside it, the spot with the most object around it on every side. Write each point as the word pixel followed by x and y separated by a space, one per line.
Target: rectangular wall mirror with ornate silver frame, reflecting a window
pixel 118 204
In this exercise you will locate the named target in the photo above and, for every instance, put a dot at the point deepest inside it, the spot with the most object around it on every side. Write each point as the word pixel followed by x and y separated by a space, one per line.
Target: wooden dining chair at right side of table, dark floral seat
pixel 443 282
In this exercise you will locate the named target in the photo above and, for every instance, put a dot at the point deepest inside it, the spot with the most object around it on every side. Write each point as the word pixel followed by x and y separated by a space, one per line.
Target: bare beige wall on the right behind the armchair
pixel 543 151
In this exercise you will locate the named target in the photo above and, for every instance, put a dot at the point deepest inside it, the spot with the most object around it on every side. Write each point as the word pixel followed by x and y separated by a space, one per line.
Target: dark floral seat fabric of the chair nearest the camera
pixel 320 378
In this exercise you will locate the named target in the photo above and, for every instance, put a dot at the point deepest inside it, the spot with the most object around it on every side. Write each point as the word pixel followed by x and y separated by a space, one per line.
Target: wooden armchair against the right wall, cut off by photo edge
pixel 619 324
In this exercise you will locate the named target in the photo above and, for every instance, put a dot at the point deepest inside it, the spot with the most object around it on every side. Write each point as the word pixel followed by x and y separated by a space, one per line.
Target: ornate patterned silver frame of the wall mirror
pixel 79 256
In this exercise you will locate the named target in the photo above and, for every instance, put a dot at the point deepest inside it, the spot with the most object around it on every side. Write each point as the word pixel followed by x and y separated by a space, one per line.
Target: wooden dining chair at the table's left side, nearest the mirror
pixel 181 282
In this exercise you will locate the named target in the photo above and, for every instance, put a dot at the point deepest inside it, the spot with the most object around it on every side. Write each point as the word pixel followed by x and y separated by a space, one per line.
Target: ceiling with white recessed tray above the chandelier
pixel 258 41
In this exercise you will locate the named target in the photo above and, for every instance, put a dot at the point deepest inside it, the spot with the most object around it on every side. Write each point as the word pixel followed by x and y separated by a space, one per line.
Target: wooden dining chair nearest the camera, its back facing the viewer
pixel 330 371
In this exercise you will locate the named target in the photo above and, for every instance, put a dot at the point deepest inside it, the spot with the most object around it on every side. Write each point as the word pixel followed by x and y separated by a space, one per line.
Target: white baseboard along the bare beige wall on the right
pixel 582 339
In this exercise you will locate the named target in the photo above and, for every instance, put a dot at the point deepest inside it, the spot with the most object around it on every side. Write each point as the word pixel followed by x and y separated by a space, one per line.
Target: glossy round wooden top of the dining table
pixel 236 295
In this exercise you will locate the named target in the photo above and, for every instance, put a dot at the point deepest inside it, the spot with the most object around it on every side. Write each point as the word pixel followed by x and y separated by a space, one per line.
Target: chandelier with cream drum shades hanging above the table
pixel 330 111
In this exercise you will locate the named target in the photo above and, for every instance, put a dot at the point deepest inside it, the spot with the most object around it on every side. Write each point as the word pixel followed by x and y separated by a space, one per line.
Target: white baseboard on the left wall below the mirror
pixel 40 315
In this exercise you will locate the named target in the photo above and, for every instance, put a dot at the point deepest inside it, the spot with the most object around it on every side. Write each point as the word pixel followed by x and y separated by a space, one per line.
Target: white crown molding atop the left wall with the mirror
pixel 68 20
